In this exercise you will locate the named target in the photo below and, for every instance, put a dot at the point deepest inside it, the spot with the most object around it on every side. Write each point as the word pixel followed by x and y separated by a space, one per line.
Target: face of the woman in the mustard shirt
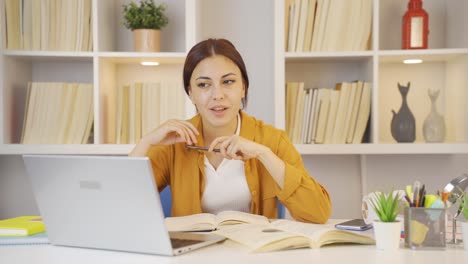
pixel 216 89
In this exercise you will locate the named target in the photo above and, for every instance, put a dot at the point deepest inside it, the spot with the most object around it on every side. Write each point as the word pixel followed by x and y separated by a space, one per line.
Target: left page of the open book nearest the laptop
pixel 196 222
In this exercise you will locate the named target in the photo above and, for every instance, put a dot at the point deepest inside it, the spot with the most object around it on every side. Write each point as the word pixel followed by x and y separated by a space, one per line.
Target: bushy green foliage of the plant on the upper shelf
pixel 147 15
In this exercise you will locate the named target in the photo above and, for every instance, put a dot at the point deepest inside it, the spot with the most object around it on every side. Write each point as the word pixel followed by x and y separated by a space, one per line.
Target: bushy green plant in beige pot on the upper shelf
pixel 145 20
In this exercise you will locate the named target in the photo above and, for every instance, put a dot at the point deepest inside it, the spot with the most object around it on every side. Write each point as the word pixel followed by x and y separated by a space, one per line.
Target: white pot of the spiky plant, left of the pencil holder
pixel 387 235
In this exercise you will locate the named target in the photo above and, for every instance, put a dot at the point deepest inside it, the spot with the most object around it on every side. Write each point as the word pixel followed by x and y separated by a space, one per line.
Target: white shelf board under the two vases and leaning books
pixel 383 149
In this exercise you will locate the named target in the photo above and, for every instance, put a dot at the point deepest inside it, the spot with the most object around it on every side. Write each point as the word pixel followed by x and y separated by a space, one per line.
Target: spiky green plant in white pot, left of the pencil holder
pixel 387 230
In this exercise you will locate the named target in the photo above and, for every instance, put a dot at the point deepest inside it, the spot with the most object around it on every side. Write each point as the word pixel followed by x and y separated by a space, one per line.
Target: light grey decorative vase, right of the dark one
pixel 434 124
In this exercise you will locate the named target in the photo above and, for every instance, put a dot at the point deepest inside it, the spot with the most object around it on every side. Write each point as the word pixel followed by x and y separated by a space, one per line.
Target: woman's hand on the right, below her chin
pixel 236 147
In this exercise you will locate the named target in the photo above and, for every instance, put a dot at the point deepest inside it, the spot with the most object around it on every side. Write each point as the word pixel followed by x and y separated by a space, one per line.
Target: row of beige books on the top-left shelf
pixel 49 25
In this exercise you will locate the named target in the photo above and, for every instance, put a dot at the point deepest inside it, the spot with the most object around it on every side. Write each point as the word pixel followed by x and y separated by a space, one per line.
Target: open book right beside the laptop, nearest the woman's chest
pixel 208 222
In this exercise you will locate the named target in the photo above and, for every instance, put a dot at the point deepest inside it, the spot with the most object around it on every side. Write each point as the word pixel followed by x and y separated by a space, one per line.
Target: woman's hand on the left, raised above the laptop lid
pixel 172 131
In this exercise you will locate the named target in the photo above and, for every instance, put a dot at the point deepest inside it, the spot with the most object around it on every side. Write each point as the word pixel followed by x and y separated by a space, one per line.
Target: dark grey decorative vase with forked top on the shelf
pixel 403 125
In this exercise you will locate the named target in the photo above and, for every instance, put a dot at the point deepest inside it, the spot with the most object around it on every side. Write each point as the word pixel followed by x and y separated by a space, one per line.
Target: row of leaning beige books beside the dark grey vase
pixel 327 115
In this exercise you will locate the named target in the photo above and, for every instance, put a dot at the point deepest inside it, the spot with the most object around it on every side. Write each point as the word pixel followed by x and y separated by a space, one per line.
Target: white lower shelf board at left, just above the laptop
pixel 71 149
